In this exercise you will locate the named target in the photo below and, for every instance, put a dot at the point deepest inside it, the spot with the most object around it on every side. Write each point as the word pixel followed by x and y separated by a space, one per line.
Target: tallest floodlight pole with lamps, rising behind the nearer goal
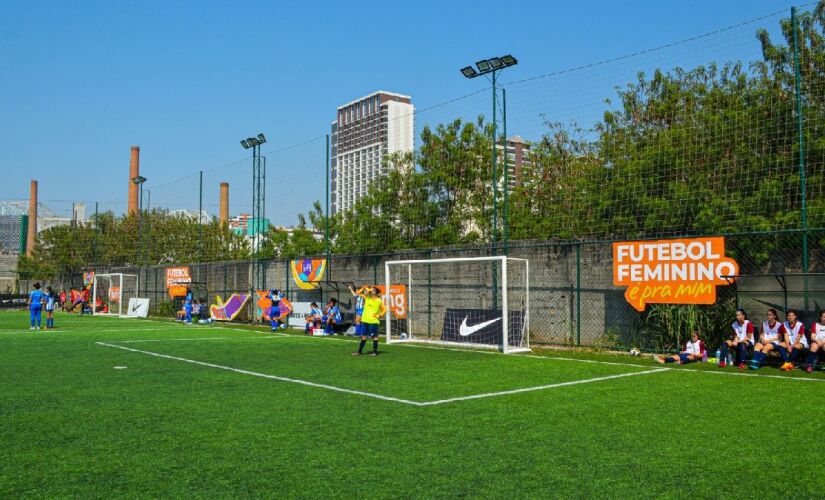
pixel 492 66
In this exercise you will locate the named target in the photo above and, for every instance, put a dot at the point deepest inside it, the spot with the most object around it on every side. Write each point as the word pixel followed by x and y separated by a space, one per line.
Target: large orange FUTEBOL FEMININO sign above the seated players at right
pixel 678 271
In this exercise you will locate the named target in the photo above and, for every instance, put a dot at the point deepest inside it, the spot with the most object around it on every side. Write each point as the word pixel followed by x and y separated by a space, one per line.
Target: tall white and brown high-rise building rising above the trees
pixel 364 132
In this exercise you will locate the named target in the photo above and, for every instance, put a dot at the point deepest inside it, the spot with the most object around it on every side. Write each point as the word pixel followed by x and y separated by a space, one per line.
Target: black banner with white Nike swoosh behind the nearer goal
pixel 481 326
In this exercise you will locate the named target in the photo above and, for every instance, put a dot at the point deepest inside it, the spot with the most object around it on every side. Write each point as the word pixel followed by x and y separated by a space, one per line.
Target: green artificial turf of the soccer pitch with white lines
pixel 71 425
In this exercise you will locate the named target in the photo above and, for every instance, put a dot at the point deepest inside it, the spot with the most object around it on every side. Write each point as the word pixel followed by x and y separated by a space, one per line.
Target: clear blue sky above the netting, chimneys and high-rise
pixel 83 81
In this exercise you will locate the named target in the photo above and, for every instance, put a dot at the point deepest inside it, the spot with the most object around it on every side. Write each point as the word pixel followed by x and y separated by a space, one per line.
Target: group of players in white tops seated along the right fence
pixel 789 339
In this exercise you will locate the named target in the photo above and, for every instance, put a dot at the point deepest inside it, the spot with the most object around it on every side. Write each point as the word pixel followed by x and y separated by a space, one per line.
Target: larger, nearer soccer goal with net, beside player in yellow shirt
pixel 472 301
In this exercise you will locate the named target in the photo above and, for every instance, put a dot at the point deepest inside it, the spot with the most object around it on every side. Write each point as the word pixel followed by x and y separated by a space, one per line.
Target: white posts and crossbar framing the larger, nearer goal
pixel 502 290
